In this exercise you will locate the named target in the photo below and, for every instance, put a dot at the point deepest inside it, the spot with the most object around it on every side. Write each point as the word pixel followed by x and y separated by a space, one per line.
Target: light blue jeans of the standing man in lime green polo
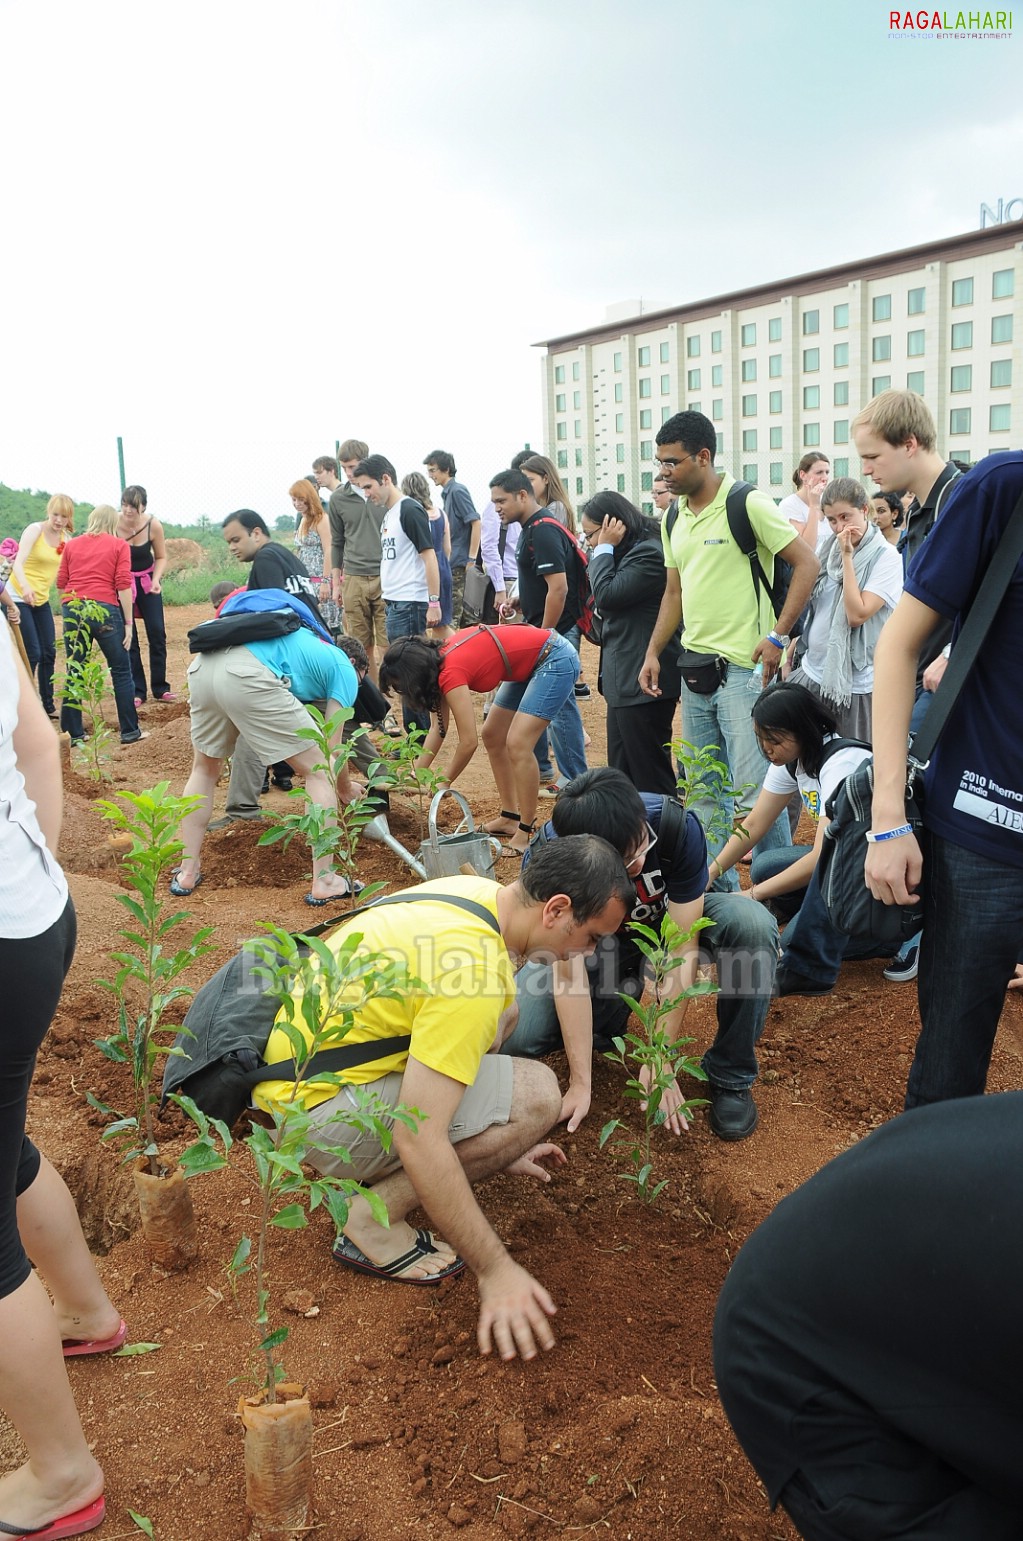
pixel 723 720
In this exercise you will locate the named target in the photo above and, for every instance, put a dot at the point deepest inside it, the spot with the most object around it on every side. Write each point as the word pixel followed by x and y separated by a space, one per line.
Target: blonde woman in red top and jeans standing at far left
pixel 98 568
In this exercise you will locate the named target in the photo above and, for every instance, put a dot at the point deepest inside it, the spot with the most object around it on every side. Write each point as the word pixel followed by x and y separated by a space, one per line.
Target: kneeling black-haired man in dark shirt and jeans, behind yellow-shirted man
pixel 577 1006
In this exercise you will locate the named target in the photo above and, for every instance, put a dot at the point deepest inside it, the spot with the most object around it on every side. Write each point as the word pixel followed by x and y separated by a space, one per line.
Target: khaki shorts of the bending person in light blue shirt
pixel 233 694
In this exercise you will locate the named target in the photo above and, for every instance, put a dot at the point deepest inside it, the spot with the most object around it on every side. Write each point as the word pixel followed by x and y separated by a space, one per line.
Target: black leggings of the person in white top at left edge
pixel 33 972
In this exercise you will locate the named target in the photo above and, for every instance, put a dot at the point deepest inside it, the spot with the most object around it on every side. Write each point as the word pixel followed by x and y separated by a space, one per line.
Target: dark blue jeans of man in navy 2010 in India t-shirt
pixel 973 932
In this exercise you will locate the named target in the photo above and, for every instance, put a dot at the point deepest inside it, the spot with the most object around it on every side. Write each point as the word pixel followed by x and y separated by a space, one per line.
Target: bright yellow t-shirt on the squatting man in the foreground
pixel 466 984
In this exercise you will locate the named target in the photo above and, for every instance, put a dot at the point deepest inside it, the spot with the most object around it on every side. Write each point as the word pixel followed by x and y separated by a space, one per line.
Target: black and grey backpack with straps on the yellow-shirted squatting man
pixel 218 1056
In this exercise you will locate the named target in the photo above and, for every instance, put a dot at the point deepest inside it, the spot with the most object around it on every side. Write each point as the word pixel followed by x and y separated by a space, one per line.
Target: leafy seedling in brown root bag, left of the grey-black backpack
pixel 149 981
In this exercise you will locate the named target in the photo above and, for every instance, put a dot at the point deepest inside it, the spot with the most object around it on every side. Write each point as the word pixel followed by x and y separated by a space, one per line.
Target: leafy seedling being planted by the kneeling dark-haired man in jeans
pixel 654 1063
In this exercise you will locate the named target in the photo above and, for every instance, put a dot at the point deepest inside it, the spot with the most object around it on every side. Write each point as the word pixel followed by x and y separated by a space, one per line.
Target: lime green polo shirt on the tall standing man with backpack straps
pixel 719 599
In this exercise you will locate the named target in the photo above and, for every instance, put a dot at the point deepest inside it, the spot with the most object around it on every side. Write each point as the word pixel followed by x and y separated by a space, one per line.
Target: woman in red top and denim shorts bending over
pixel 537 671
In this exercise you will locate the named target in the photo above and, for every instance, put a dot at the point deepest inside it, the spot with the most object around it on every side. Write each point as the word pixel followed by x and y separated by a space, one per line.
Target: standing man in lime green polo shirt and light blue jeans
pixel 726 620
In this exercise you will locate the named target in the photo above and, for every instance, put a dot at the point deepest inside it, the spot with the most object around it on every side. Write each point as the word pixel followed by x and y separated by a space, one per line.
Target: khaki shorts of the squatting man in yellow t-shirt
pixel 485 1104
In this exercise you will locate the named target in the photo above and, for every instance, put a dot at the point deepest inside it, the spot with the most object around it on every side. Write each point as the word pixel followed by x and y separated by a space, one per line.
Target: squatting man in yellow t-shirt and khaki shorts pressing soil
pixel 480 1112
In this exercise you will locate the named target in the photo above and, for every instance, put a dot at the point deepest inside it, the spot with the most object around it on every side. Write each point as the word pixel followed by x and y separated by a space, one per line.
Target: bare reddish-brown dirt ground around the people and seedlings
pixel 617 1432
